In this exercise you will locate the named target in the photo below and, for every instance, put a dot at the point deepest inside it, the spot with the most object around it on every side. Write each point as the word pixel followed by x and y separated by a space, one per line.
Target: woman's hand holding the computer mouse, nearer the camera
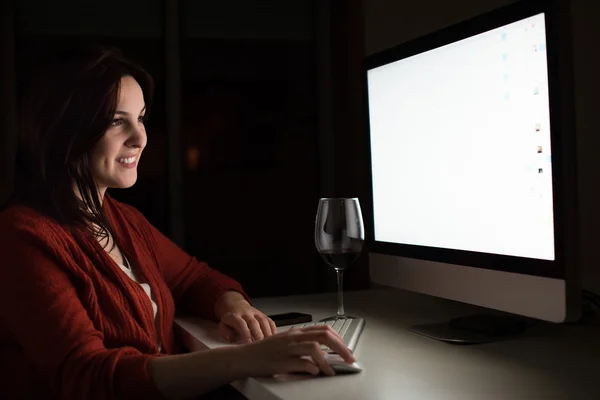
pixel 296 350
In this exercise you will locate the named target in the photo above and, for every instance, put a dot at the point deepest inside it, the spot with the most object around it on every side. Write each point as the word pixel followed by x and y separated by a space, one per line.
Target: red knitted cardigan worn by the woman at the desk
pixel 72 324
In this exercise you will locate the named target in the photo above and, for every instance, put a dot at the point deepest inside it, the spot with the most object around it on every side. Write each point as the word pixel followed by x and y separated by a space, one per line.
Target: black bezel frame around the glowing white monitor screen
pixel 563 145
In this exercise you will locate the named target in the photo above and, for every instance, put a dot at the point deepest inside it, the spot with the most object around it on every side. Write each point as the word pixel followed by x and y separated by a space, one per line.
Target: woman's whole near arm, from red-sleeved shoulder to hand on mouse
pixel 40 306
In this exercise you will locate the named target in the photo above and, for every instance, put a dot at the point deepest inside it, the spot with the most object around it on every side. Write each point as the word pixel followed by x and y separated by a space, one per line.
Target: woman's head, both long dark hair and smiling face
pixel 76 97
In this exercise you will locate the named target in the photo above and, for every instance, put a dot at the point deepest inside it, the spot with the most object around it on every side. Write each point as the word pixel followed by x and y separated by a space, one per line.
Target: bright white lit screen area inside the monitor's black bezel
pixel 460 139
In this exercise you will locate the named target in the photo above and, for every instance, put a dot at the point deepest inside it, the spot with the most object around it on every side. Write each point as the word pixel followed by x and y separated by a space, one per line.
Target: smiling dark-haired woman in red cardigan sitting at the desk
pixel 88 286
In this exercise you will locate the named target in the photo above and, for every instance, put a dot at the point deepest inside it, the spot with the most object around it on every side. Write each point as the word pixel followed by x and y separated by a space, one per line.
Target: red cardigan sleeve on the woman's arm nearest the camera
pixel 41 308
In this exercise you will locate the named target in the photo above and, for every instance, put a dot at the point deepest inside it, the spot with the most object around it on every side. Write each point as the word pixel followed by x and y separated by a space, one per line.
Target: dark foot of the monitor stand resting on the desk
pixel 474 329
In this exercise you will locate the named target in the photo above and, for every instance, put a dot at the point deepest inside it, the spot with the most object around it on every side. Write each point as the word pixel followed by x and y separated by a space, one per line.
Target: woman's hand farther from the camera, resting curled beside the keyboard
pixel 239 321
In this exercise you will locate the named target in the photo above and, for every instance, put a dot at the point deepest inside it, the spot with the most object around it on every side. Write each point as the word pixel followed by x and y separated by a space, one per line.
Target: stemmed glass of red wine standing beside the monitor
pixel 339 236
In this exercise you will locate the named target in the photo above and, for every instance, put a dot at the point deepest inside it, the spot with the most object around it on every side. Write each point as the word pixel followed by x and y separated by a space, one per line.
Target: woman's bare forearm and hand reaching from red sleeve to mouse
pixel 298 350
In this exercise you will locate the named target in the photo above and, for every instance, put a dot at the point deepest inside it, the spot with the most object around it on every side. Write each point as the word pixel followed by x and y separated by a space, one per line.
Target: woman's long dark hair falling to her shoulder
pixel 65 111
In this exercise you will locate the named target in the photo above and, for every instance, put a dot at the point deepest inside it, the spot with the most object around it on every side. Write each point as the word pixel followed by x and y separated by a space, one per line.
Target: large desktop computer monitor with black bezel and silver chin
pixel 473 172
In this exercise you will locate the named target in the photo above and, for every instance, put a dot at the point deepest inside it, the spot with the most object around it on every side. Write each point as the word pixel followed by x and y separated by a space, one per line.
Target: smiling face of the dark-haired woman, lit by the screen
pixel 115 157
